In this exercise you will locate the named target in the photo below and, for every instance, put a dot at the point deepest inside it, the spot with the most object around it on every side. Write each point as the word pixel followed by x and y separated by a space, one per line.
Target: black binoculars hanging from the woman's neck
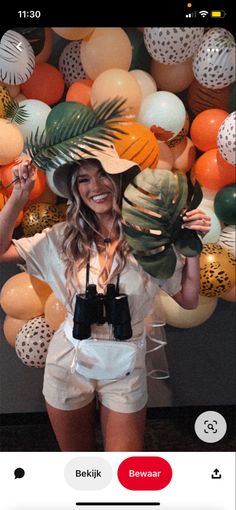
pixel 96 308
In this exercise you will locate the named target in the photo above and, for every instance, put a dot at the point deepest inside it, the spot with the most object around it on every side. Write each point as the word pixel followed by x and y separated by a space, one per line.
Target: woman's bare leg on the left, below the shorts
pixel 74 430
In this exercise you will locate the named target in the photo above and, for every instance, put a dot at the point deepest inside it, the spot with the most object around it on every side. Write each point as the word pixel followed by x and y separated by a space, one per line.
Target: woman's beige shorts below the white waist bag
pixel 66 391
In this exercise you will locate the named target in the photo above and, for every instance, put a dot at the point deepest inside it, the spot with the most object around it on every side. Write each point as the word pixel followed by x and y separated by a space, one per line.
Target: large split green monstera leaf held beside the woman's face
pixel 152 210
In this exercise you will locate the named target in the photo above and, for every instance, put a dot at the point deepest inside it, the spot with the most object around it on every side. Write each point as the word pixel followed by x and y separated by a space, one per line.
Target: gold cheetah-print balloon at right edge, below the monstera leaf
pixel 217 270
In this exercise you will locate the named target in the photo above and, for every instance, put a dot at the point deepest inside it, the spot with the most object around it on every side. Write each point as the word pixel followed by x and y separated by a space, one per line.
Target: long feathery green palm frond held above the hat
pixel 82 131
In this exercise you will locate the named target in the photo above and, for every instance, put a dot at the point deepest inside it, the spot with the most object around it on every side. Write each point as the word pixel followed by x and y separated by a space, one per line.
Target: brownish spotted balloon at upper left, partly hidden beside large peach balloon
pixel 70 63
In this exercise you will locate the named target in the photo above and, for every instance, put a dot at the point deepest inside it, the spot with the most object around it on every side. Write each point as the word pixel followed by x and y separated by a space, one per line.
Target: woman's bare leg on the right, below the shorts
pixel 123 431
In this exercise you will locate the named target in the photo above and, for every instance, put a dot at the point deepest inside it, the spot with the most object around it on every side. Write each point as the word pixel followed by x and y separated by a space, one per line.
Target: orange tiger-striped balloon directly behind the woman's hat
pixel 138 144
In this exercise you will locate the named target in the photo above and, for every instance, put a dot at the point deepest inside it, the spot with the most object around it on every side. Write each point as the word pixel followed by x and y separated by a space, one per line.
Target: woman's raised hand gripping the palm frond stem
pixel 24 174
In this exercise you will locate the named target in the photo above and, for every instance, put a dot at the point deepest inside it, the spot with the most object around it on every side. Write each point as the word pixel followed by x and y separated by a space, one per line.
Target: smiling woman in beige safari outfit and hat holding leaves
pixel 89 249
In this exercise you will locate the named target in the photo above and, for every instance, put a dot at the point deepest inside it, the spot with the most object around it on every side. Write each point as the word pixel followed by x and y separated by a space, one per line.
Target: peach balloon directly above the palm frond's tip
pixel 115 83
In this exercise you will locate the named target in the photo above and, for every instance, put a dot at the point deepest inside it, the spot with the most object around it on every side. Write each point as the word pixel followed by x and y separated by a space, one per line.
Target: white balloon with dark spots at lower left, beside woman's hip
pixel 32 342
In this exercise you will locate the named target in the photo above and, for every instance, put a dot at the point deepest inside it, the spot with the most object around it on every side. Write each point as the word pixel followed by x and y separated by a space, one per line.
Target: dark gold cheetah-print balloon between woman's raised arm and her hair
pixel 38 216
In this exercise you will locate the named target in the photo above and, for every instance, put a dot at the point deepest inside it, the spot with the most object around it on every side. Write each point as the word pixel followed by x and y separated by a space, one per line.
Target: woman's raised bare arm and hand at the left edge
pixel 26 178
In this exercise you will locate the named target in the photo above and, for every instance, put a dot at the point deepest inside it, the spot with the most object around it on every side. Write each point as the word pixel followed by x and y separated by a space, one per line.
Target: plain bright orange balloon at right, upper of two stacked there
pixel 205 127
